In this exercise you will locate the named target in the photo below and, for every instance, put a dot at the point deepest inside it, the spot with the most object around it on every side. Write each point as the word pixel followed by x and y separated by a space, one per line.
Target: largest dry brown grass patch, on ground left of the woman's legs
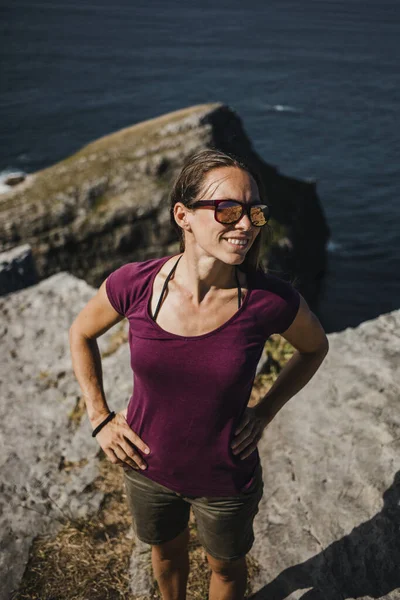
pixel 89 558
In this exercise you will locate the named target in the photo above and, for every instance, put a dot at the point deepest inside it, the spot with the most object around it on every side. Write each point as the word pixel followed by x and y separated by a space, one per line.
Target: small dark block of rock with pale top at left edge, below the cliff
pixel 17 269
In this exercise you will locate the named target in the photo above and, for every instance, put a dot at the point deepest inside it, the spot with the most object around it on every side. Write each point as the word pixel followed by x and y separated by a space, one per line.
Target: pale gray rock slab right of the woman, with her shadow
pixel 329 520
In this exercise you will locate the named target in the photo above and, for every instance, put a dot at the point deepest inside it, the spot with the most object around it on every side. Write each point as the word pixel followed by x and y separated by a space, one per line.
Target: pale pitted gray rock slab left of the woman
pixel 38 437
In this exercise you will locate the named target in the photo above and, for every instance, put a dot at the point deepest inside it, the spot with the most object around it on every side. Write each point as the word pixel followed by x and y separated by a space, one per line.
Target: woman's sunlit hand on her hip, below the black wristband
pixel 120 443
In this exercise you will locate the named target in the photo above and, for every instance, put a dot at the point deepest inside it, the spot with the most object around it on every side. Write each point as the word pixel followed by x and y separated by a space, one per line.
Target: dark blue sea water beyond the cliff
pixel 316 83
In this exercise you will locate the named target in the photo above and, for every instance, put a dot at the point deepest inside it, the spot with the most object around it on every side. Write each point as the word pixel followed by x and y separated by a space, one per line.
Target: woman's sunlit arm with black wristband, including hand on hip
pixel 116 438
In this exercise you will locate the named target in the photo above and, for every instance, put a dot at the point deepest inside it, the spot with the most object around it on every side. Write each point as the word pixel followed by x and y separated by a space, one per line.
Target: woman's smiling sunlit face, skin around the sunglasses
pixel 216 239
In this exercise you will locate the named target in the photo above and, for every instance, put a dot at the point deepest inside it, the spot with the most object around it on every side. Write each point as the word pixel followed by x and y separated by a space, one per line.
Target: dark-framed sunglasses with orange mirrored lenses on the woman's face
pixel 229 212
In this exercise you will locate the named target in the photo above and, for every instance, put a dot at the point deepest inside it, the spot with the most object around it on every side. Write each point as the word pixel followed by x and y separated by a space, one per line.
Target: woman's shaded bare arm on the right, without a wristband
pixel 307 336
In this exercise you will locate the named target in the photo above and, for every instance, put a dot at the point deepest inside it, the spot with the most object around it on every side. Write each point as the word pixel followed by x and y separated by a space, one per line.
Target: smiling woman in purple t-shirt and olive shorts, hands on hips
pixel 198 324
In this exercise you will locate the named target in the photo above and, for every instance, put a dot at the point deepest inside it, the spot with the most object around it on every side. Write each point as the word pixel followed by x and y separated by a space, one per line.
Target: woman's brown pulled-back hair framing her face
pixel 188 185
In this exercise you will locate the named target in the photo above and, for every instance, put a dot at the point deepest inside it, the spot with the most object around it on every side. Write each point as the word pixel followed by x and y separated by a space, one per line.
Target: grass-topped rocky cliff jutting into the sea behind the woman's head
pixel 108 203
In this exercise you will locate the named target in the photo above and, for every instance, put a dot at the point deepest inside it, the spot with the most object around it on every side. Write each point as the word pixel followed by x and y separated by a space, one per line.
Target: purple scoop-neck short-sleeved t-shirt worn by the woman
pixel 189 393
